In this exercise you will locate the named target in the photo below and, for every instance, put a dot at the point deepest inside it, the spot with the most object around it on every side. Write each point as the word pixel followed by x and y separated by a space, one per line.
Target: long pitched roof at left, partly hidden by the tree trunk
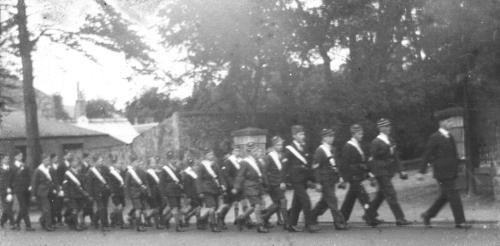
pixel 14 126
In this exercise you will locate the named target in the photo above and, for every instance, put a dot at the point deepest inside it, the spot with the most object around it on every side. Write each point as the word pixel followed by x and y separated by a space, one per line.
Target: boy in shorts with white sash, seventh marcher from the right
pixel 251 181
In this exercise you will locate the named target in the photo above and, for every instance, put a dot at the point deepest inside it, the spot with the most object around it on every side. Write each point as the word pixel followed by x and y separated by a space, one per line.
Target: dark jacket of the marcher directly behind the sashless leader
pixel 383 163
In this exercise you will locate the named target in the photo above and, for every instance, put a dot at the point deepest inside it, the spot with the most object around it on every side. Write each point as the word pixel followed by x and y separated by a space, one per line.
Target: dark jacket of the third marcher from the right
pixel 353 166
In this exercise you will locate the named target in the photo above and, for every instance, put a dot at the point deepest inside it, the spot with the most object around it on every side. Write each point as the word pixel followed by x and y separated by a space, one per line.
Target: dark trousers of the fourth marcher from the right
pixel 328 200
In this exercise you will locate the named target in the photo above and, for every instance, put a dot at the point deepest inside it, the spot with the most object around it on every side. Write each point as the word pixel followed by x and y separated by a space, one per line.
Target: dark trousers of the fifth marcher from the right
pixel 300 202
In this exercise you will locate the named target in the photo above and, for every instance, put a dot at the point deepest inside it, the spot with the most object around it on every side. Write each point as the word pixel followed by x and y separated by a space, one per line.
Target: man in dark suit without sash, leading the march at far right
pixel 441 153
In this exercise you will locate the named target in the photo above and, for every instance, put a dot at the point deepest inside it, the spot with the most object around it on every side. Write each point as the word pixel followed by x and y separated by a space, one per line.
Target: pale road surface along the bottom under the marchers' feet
pixel 441 234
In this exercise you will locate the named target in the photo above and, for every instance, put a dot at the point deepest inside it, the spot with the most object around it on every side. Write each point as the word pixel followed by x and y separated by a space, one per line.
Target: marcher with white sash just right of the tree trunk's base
pixel 43 186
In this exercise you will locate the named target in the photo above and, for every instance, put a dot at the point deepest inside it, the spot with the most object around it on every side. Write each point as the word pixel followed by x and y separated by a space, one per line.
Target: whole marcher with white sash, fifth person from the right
pixel 299 173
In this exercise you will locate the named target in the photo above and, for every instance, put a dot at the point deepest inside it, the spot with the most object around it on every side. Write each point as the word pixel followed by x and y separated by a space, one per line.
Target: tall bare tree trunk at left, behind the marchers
pixel 25 47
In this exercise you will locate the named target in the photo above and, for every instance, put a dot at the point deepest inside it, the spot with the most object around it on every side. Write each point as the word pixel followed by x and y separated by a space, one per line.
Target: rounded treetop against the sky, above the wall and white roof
pixel 151 105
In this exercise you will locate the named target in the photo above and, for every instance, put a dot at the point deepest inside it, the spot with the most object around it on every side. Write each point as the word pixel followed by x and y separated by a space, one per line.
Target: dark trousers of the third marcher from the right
pixel 356 191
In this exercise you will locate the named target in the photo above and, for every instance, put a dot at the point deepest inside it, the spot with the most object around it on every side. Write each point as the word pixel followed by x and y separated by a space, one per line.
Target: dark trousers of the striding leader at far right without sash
pixel 449 193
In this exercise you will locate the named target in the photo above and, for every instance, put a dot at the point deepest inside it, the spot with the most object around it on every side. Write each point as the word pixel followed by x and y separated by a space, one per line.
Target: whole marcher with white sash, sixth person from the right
pixel 274 170
